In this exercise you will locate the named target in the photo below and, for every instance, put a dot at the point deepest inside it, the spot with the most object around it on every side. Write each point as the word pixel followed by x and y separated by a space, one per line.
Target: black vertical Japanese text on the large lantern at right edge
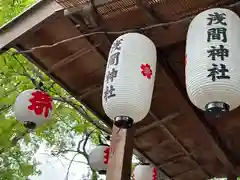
pixel 217 52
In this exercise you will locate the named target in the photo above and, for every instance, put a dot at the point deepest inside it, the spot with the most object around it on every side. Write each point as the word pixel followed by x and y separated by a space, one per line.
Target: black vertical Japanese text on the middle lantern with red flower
pixel 112 67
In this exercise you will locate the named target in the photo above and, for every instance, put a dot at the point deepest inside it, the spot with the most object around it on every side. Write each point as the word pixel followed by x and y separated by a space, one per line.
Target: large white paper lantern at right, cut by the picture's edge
pixel 212 61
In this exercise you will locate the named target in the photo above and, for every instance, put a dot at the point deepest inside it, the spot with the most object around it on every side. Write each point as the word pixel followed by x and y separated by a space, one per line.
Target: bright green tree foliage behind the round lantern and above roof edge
pixel 18 145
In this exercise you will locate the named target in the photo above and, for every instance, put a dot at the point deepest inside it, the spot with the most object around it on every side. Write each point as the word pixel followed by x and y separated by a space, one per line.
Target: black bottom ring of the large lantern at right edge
pixel 215 109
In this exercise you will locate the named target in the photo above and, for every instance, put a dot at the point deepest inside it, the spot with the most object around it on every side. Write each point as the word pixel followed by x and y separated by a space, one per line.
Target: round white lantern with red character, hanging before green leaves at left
pixel 33 108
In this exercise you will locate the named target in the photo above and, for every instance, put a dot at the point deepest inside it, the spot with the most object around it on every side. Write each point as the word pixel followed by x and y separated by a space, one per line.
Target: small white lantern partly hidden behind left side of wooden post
pixel 98 158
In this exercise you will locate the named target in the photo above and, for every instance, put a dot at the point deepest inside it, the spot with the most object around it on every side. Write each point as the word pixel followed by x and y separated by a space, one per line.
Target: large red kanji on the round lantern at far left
pixel 41 103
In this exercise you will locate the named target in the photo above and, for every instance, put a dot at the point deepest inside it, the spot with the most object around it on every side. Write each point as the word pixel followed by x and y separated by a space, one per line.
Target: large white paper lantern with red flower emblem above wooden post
pixel 129 79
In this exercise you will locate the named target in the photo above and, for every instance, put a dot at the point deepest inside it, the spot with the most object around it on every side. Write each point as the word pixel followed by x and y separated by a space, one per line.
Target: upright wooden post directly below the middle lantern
pixel 119 165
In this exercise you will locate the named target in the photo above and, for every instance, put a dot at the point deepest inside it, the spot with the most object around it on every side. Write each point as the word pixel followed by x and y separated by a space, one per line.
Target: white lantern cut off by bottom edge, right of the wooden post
pixel 144 172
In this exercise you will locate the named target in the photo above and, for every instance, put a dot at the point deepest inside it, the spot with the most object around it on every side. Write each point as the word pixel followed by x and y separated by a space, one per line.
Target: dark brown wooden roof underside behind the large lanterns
pixel 175 136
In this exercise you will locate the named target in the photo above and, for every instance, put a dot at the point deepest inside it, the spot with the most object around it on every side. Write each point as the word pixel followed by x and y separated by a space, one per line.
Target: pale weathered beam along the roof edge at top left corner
pixel 43 11
